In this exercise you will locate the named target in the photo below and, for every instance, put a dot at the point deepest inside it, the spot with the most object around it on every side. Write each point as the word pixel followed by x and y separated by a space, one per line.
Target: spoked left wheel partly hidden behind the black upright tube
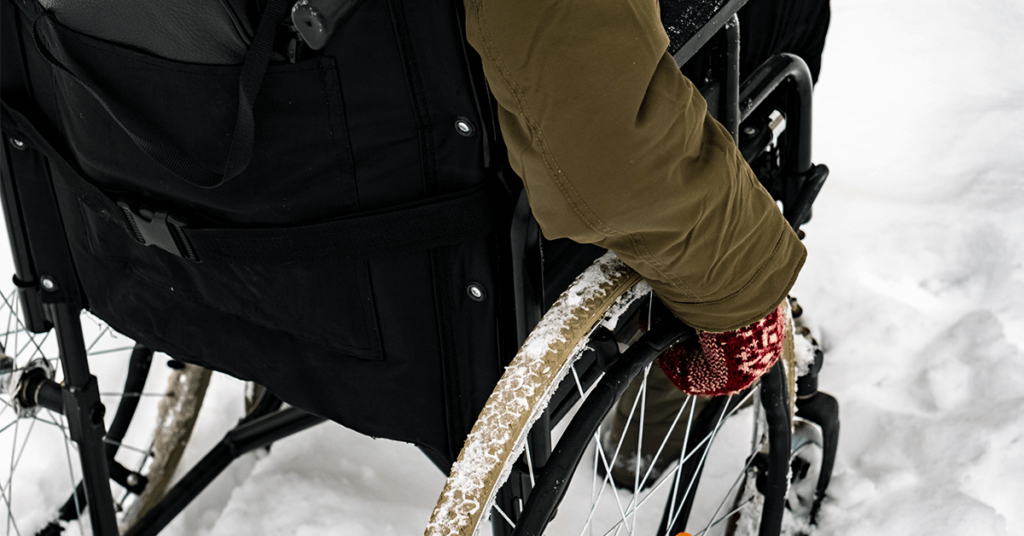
pixel 149 423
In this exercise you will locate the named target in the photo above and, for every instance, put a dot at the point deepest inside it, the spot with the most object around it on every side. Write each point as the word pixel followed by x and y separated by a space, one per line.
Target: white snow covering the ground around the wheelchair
pixel 916 277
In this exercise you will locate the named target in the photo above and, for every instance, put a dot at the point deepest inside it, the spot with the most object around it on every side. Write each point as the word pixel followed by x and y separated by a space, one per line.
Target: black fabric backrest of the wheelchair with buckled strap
pixel 329 224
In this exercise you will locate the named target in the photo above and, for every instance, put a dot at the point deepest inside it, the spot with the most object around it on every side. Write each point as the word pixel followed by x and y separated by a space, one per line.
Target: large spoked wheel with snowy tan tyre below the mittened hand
pixel 720 482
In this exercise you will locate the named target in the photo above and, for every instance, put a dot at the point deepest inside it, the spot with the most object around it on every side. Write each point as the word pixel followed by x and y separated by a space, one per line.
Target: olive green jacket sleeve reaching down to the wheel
pixel 616 148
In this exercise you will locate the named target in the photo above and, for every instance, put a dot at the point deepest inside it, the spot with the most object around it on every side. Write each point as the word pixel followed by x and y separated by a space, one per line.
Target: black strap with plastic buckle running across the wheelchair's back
pixel 435 223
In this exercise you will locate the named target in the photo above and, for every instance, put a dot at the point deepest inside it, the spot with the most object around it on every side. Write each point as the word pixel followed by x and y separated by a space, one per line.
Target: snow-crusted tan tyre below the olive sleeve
pixel 599 297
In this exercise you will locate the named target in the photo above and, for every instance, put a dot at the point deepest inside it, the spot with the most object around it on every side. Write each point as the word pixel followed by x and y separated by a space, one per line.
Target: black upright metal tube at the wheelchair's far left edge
pixel 49 284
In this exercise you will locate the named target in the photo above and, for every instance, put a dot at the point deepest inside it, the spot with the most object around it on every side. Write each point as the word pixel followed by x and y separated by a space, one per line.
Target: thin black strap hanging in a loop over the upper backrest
pixel 245 127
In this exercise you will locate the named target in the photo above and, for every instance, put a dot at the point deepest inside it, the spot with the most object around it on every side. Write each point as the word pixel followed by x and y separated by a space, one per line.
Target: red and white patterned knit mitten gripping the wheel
pixel 729 362
